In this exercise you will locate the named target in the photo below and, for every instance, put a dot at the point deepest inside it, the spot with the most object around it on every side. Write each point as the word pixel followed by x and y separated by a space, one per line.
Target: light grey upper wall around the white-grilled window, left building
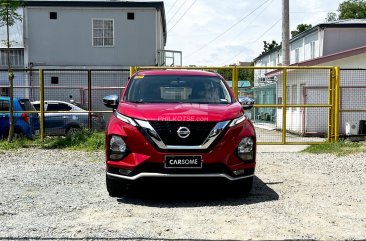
pixel 67 40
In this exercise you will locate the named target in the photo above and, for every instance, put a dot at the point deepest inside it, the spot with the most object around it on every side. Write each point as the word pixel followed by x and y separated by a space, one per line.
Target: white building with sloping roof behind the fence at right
pixel 341 43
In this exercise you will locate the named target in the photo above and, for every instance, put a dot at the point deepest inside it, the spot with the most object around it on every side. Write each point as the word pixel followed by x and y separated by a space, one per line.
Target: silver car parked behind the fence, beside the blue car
pixel 67 118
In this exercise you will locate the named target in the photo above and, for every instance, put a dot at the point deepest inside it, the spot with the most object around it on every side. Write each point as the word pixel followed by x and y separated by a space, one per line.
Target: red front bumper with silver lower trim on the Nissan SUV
pixel 145 160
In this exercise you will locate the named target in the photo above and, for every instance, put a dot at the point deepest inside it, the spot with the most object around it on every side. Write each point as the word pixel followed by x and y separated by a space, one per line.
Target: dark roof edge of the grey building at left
pixel 159 6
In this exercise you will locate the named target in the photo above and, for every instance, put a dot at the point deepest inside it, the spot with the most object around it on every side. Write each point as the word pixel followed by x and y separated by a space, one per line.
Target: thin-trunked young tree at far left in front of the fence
pixel 8 17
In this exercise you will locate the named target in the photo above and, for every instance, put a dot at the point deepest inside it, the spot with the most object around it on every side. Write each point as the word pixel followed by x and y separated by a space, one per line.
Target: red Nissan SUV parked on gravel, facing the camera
pixel 179 123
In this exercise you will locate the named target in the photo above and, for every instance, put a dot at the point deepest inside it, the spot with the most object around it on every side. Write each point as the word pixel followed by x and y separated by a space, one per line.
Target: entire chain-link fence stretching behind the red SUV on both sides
pixel 293 105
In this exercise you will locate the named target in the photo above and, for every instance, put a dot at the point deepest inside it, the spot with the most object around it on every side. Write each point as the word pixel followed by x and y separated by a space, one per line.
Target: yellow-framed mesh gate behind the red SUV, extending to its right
pixel 286 107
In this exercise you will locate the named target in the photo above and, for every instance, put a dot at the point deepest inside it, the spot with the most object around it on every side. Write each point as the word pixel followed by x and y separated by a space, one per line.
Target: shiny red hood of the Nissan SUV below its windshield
pixel 180 111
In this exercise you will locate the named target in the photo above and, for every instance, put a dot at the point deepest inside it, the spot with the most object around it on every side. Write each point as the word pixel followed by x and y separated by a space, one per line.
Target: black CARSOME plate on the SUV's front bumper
pixel 183 161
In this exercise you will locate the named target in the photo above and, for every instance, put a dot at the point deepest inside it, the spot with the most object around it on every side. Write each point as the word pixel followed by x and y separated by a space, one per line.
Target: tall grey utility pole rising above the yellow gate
pixel 285 33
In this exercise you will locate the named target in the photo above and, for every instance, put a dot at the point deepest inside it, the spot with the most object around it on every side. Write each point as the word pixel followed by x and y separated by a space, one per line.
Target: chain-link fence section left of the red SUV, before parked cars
pixel 72 97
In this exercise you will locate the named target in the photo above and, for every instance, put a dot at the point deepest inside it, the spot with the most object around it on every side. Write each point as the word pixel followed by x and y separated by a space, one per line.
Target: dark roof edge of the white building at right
pixel 346 23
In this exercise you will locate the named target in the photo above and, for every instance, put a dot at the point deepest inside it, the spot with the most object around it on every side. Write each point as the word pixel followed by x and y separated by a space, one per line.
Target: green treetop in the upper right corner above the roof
pixel 352 9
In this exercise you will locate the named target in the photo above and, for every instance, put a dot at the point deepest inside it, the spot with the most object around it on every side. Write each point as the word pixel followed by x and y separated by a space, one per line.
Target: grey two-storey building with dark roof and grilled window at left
pixel 83 35
